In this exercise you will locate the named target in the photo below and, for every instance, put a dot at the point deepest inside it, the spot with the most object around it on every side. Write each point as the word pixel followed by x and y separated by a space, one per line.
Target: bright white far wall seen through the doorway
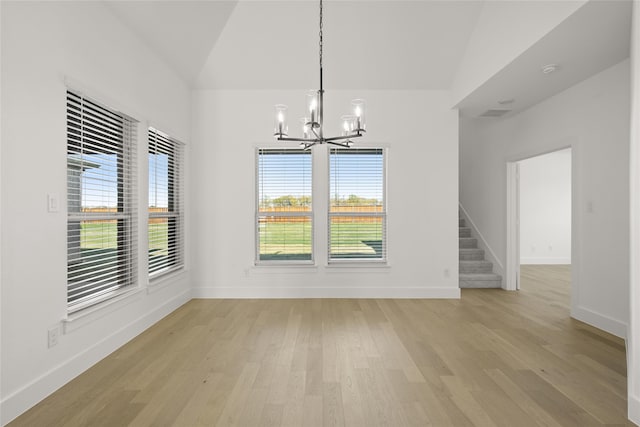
pixel 545 209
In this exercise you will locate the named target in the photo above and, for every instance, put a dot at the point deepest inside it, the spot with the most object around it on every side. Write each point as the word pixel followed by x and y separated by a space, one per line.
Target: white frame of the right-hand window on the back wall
pixel 383 214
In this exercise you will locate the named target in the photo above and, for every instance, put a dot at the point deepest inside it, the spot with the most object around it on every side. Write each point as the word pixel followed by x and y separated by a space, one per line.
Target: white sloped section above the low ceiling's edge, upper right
pixel 505 29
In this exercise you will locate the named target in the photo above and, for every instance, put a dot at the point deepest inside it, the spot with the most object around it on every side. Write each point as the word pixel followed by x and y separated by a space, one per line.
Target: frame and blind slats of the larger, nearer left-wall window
pixel 83 113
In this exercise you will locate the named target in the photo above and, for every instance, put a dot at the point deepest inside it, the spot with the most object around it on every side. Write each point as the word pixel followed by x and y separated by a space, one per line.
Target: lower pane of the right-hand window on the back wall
pixel 357 237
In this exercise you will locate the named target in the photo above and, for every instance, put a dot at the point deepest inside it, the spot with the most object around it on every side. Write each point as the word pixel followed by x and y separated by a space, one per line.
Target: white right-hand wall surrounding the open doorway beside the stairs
pixel 593 118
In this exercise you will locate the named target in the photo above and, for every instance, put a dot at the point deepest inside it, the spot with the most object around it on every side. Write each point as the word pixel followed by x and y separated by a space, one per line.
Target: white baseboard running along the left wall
pixel 21 400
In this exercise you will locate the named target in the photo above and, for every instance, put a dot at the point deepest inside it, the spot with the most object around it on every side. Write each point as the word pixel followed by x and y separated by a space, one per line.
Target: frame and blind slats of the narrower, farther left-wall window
pixel 175 203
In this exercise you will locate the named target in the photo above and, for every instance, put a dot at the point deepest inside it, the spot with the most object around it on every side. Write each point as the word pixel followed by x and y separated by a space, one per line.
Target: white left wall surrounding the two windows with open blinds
pixel 42 43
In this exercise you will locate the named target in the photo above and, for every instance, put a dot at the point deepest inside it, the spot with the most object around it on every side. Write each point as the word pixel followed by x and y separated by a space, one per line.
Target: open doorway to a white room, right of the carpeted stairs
pixel 539 203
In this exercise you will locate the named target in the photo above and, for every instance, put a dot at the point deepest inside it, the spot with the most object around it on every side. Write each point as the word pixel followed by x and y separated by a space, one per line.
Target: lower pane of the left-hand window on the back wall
pixel 285 238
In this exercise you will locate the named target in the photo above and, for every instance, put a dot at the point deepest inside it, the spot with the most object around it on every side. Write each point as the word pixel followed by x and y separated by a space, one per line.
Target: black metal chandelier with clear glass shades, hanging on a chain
pixel 353 126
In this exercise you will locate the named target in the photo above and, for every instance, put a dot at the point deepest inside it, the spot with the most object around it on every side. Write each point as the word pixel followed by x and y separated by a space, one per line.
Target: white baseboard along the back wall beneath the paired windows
pixel 382 293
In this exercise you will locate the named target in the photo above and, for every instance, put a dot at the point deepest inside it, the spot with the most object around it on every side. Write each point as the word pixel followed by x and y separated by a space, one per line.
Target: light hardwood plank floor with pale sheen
pixel 490 358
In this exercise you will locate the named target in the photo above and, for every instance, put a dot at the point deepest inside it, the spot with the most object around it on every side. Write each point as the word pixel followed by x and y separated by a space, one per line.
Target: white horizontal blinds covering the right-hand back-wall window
pixel 357 216
